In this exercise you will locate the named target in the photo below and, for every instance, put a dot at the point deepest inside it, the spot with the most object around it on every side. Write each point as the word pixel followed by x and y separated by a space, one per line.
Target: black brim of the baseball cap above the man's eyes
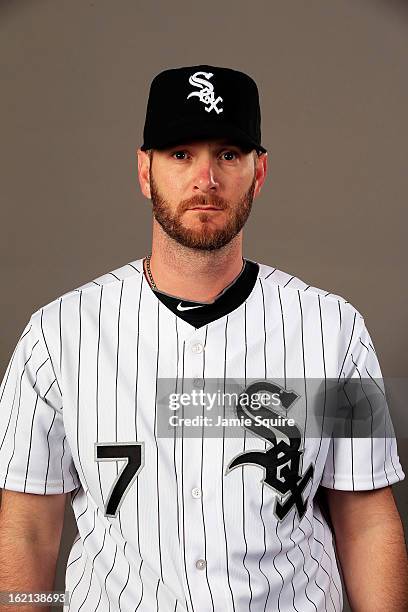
pixel 185 132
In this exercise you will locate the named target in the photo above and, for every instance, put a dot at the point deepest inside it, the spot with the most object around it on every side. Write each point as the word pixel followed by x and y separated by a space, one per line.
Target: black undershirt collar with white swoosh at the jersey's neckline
pixel 229 299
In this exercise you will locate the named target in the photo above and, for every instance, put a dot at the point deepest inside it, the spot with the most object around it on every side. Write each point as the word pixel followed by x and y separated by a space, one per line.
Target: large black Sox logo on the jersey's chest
pixel 281 462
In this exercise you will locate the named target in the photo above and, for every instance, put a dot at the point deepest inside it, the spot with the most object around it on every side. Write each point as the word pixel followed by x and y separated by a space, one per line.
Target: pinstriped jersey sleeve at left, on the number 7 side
pixel 34 453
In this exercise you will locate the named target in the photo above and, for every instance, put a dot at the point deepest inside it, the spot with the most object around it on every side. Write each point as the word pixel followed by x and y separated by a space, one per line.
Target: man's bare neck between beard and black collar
pixel 193 274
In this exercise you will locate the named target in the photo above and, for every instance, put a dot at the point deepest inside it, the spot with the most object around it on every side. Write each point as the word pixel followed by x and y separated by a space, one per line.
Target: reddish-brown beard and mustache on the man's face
pixel 205 237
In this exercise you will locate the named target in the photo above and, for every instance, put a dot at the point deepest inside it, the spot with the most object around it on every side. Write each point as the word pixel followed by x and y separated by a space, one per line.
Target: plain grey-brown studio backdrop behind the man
pixel 332 76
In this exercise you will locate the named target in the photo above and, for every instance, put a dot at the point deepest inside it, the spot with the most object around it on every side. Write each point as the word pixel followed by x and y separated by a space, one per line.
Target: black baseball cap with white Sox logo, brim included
pixel 202 102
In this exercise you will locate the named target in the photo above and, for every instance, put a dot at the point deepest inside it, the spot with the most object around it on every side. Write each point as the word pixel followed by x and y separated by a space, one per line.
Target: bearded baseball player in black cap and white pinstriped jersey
pixel 220 516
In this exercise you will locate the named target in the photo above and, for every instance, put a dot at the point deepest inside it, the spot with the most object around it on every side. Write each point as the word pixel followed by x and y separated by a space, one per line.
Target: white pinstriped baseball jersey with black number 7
pixel 186 523
